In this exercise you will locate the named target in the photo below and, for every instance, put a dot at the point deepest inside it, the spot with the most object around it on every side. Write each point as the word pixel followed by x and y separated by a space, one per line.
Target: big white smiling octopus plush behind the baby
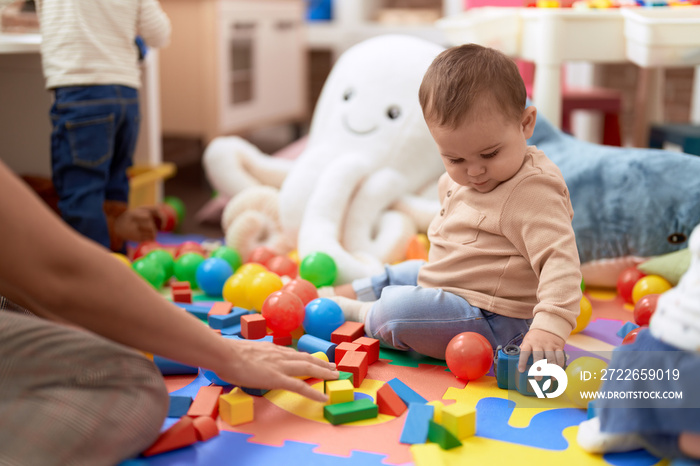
pixel 355 192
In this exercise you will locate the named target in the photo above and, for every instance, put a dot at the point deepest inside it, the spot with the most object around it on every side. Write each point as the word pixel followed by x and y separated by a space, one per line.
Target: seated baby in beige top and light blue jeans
pixel 503 260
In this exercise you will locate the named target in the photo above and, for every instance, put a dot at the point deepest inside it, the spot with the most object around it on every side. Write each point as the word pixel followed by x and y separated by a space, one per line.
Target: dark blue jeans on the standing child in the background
pixel 94 135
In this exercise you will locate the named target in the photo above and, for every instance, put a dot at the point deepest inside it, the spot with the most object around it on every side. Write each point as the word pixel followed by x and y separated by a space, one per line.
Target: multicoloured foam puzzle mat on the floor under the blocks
pixel 289 429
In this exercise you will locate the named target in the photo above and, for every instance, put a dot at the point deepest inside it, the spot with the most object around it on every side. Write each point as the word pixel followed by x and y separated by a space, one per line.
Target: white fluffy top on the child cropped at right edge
pixel 677 317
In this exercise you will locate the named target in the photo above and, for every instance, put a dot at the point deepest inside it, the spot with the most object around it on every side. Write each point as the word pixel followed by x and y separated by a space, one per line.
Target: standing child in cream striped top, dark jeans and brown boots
pixel 90 61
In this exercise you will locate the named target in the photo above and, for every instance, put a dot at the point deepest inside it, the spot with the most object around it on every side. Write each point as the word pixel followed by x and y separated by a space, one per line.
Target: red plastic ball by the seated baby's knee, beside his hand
pixel 469 355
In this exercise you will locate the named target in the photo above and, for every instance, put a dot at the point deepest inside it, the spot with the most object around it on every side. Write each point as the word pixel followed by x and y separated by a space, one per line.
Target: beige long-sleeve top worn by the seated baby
pixel 511 251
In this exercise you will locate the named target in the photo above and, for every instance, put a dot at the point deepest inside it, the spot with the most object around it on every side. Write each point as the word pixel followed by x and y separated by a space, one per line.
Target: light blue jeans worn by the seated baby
pixel 426 319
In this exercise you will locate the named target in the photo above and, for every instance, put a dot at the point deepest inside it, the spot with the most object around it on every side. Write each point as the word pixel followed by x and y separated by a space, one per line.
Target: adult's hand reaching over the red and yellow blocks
pixel 268 366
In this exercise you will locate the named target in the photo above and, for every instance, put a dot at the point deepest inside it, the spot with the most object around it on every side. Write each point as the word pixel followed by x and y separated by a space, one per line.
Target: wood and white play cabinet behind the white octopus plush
pixel 233 66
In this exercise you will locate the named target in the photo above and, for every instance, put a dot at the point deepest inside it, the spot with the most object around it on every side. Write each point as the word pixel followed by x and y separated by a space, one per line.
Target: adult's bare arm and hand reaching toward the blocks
pixel 60 275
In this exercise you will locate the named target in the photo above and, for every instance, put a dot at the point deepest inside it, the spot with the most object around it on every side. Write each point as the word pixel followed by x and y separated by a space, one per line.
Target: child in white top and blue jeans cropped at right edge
pixel 646 378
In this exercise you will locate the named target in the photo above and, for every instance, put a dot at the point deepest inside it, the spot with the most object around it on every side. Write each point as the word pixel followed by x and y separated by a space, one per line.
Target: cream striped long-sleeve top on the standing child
pixel 91 42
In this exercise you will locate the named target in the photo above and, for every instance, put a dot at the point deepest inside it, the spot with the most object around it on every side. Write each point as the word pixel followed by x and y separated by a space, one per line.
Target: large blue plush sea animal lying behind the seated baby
pixel 629 203
